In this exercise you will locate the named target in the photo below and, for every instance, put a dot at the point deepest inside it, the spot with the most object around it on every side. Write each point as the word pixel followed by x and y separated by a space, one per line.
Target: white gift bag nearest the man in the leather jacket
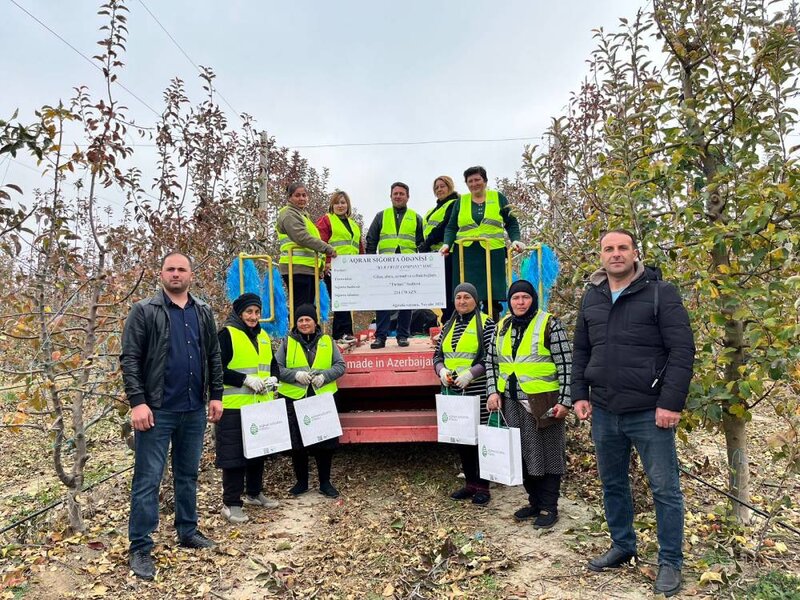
pixel 265 428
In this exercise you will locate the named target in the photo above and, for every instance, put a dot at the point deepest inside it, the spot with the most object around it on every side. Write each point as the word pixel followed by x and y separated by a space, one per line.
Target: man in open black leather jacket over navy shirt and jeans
pixel 170 366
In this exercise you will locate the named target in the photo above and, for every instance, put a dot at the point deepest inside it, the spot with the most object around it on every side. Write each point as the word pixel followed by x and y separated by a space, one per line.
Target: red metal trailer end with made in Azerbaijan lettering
pixel 388 395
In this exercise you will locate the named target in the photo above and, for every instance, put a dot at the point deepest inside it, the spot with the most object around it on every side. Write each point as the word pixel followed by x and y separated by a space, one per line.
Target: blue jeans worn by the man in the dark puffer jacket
pixel 613 437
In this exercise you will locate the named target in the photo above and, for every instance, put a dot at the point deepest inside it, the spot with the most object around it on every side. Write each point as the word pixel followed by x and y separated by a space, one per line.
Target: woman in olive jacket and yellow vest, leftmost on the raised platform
pixel 296 231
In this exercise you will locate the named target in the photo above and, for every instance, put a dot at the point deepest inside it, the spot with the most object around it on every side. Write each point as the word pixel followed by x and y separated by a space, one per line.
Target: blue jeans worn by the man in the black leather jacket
pixel 185 430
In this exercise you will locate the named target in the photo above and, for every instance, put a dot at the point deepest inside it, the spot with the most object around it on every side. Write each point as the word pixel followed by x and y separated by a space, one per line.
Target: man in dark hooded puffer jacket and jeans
pixel 631 366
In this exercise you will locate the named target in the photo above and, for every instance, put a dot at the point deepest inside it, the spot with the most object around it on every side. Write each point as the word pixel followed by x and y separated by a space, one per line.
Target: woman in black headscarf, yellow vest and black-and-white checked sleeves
pixel 528 377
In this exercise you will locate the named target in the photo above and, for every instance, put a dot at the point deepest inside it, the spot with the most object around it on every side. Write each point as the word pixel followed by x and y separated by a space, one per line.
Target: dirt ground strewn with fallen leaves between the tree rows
pixel 394 533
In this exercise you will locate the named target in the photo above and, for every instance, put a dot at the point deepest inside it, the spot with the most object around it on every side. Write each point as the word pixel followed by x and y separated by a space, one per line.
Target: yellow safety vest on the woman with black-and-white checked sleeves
pixel 533 365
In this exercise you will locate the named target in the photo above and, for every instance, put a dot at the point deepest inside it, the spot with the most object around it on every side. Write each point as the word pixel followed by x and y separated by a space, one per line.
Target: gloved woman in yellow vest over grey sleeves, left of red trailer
pixel 309 363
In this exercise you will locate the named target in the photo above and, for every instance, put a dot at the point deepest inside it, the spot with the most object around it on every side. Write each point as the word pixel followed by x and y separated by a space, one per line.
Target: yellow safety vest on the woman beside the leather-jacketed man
pixel 248 361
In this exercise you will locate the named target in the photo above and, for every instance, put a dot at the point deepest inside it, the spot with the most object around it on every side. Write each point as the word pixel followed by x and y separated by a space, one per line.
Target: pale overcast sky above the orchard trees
pixel 332 72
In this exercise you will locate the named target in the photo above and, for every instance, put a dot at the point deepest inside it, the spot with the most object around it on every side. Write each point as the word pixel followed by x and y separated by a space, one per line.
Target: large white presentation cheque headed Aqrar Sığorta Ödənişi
pixel 388 281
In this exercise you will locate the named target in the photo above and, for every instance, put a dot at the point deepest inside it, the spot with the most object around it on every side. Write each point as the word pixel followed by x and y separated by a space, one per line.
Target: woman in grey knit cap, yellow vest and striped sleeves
pixel 459 363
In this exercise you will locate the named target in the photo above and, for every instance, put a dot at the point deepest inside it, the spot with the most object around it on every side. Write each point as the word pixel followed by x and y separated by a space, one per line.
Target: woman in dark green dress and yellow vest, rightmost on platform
pixel 487 214
